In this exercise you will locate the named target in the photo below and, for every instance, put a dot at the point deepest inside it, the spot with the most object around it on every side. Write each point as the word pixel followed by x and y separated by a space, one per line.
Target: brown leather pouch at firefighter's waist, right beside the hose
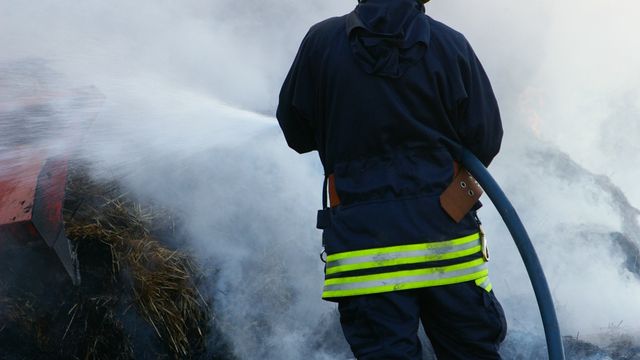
pixel 461 195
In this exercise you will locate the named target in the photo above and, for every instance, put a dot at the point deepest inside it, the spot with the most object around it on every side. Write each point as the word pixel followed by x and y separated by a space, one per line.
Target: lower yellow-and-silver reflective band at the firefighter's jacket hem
pixel 404 280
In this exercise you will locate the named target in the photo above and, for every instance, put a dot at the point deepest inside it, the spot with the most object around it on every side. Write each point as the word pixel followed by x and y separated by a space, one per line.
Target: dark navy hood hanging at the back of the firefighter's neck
pixel 388 36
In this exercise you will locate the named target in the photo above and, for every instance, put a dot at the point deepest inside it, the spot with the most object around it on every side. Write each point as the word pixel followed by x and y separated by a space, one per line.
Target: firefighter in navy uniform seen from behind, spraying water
pixel 389 97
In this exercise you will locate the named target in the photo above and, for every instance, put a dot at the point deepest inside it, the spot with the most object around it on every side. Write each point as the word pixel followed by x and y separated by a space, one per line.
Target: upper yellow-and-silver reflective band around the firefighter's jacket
pixel 426 254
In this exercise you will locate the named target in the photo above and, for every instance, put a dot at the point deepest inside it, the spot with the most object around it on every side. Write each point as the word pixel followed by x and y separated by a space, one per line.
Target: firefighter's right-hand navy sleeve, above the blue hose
pixel 479 125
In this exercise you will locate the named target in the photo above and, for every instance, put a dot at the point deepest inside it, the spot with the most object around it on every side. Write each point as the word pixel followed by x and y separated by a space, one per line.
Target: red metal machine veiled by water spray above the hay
pixel 36 112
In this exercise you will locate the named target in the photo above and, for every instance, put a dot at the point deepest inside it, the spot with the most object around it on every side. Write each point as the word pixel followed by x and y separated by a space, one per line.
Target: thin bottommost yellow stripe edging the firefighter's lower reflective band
pixel 403 286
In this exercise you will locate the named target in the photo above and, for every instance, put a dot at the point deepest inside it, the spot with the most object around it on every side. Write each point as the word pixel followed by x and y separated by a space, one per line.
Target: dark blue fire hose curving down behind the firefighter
pixel 528 253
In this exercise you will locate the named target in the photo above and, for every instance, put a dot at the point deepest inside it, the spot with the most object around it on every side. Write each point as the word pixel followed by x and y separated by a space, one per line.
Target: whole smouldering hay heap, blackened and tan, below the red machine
pixel 138 298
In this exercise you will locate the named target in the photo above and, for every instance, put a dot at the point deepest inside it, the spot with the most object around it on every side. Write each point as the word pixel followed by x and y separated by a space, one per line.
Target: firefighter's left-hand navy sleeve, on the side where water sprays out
pixel 296 104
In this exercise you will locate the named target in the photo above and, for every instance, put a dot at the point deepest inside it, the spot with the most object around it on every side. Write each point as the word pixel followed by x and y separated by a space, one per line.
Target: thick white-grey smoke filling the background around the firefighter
pixel 187 120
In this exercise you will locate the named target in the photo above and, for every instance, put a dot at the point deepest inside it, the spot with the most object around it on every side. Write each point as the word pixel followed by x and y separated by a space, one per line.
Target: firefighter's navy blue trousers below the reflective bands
pixel 462 321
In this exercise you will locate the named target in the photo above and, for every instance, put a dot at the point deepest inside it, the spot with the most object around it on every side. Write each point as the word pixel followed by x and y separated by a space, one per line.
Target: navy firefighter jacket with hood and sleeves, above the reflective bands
pixel 388 97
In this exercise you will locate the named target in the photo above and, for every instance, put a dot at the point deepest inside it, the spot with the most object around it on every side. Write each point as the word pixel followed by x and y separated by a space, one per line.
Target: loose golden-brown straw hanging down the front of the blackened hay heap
pixel 163 282
